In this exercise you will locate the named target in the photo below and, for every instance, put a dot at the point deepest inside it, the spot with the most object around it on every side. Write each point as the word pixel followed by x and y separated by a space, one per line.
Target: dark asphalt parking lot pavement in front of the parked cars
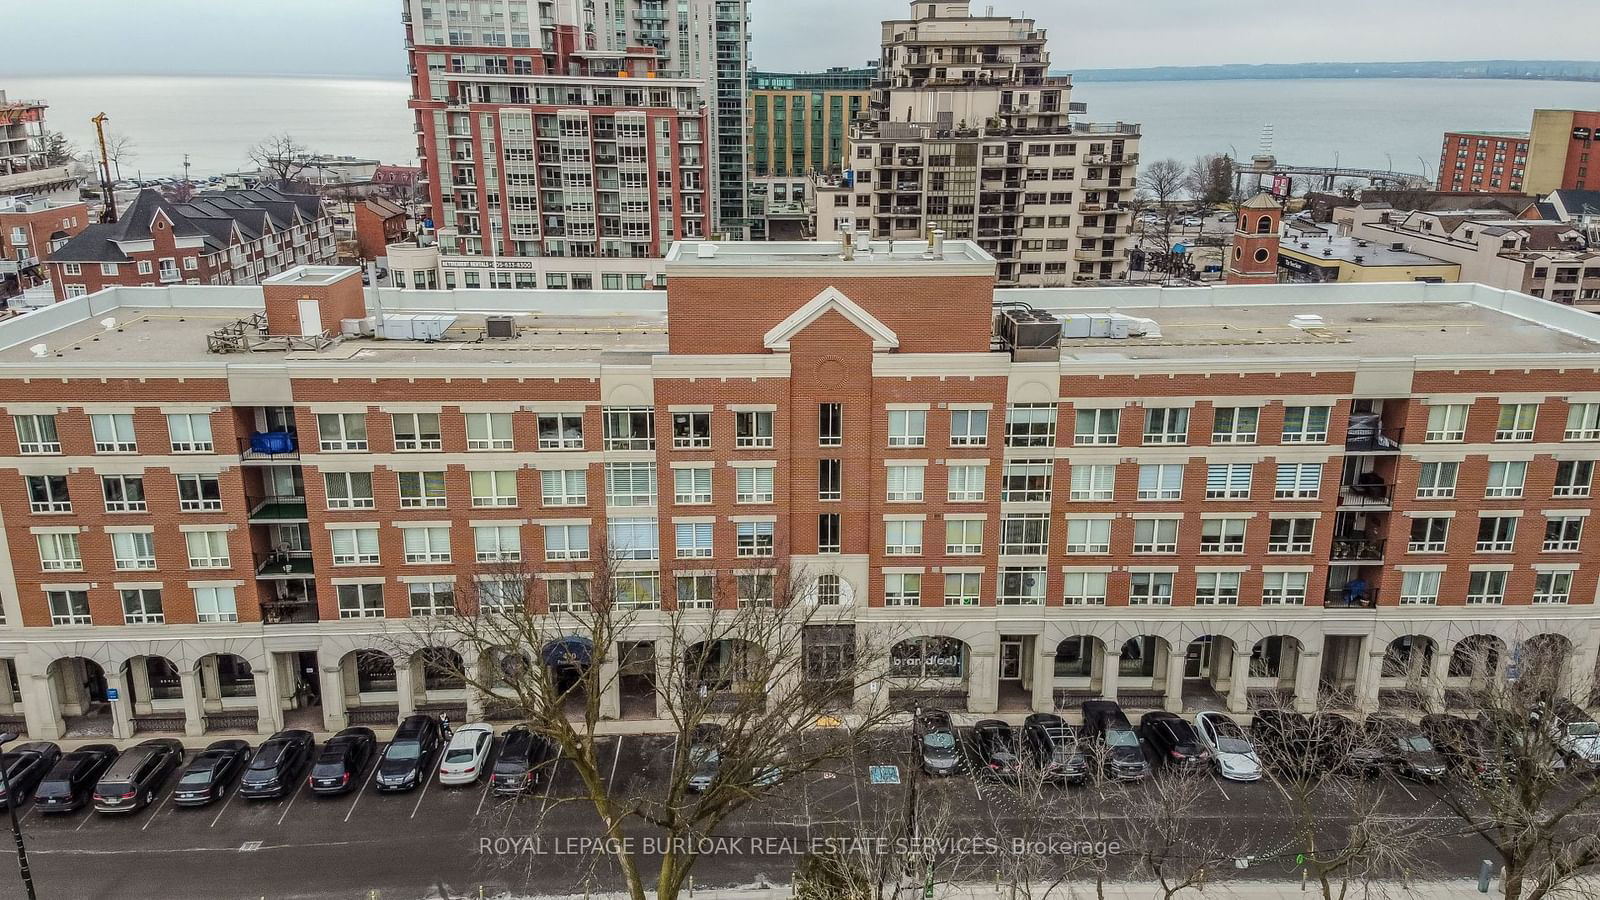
pixel 447 842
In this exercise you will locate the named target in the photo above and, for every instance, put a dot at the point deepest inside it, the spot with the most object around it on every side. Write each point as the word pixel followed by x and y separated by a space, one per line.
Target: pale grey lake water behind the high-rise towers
pixel 1316 123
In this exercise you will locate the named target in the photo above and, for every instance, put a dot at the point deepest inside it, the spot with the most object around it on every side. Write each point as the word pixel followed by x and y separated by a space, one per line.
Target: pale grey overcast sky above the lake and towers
pixel 362 38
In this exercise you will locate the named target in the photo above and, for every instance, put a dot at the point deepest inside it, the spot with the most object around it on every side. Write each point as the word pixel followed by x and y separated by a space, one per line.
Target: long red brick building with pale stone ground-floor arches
pixel 1231 489
